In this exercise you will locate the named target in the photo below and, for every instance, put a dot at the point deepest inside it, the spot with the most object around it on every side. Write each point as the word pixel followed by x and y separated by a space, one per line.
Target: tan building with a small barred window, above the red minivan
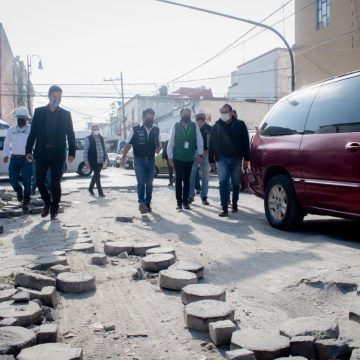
pixel 327 38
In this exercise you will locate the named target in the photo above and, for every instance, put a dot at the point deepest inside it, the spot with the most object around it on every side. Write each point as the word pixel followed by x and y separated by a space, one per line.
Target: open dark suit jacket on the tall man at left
pixel 64 131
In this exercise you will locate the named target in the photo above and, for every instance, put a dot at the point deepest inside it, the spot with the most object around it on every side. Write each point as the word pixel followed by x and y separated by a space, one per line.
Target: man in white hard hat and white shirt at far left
pixel 15 143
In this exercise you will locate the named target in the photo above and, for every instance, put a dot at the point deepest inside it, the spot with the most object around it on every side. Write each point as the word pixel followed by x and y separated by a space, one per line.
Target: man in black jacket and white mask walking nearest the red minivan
pixel 229 144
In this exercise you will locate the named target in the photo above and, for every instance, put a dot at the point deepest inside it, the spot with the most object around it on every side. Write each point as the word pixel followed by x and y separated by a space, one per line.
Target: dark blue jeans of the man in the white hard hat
pixel 17 167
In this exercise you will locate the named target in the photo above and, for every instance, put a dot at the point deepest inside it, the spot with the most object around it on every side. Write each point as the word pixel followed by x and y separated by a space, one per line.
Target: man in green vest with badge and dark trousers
pixel 185 141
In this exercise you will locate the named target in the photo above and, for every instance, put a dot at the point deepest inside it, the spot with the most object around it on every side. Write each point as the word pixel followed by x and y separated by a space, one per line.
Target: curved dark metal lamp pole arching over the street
pixel 249 22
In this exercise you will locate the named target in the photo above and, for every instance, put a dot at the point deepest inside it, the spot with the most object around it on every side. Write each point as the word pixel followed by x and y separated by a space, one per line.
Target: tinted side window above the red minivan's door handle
pixel 336 108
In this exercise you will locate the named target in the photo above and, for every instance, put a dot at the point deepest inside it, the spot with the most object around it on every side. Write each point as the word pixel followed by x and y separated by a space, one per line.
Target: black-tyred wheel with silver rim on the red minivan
pixel 281 205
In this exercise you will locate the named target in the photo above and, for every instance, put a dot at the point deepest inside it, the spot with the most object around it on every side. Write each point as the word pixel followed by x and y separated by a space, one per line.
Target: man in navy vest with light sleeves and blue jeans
pixel 145 140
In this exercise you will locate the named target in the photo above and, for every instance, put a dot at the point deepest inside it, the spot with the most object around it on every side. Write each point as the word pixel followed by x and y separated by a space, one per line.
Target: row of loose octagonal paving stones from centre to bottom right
pixel 206 310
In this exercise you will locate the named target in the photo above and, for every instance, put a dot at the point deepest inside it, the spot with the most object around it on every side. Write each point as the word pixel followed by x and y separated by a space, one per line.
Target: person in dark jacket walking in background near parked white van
pixel 94 156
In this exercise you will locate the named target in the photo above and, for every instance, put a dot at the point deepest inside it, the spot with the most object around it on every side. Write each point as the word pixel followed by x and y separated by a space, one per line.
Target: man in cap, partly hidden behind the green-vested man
pixel 205 130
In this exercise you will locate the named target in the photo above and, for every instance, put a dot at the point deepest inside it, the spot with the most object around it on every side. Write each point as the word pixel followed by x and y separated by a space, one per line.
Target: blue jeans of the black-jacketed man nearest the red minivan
pixel 229 169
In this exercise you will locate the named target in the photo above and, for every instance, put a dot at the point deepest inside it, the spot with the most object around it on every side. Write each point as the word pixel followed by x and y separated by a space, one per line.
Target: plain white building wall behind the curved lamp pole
pixel 266 78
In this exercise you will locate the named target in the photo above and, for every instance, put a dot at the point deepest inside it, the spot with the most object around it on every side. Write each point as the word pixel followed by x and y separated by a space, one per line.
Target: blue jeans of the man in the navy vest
pixel 145 171
